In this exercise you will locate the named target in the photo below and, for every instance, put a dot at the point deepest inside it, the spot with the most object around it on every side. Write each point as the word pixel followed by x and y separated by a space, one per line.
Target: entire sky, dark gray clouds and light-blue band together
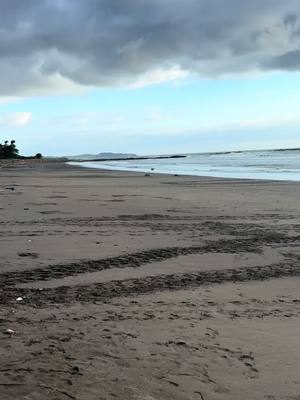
pixel 149 76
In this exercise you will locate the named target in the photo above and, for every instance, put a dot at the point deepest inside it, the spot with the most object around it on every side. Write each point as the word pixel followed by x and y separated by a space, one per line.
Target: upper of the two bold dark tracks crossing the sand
pixel 135 260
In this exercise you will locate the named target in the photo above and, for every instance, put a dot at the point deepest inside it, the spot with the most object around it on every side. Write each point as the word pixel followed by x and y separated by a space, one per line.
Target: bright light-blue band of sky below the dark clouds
pixel 187 115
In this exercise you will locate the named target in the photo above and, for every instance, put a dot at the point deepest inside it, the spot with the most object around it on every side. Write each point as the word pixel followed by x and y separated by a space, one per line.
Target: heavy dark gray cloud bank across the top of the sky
pixel 47 44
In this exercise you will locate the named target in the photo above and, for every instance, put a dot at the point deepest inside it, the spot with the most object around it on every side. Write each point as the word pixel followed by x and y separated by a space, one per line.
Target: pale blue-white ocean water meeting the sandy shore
pixel 267 164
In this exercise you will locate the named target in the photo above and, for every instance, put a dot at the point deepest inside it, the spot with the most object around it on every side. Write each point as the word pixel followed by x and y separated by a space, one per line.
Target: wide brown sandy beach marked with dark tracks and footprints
pixel 118 285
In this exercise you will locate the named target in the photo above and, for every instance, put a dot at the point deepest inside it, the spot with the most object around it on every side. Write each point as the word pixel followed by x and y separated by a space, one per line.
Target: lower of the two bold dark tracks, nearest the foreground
pixel 132 287
